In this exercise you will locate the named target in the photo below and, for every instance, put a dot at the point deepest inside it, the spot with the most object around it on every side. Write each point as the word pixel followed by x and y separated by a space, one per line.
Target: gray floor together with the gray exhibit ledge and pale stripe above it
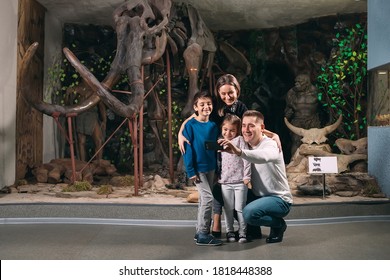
pixel 351 231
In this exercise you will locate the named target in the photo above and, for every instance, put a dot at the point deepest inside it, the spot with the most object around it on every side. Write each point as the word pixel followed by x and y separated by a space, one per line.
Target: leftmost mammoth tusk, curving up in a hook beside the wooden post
pixel 40 105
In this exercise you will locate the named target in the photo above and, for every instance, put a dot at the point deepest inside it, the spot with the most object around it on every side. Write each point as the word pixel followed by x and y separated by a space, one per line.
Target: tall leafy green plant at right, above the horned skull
pixel 342 82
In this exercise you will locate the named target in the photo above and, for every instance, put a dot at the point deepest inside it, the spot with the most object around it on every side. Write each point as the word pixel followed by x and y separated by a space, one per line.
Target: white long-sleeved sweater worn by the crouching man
pixel 268 170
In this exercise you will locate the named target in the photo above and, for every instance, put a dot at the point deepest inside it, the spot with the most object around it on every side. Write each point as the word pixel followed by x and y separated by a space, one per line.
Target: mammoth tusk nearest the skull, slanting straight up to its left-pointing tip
pixel 111 101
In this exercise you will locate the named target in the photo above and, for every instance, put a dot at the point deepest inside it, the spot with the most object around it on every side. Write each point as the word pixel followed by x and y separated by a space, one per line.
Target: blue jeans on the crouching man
pixel 266 211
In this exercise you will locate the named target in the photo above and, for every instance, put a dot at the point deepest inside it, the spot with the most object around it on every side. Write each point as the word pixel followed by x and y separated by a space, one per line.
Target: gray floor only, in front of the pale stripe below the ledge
pixel 333 241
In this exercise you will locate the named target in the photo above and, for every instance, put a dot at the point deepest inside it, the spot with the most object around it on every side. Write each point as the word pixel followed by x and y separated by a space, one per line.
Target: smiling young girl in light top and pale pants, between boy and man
pixel 234 179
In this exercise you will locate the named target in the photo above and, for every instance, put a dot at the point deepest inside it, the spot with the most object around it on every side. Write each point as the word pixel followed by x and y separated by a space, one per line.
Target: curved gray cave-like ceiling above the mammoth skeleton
pixel 218 14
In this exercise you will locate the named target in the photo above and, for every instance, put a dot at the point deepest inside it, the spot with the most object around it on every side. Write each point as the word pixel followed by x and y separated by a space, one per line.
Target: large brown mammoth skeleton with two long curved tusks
pixel 144 30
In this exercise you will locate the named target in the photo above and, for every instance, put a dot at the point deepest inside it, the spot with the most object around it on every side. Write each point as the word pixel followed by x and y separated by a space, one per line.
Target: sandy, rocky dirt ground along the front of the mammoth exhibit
pixel 155 190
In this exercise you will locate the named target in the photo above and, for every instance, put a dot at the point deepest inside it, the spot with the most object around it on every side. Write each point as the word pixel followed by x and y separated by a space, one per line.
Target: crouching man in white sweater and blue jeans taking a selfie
pixel 272 197
